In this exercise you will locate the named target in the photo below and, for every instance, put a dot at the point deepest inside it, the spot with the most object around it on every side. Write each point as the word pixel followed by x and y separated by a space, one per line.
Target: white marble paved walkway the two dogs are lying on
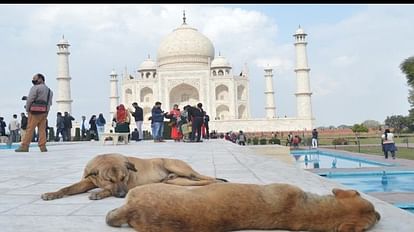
pixel 25 176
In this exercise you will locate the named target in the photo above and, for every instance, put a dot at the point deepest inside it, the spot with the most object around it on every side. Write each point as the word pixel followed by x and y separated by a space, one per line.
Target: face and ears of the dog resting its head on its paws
pixel 113 176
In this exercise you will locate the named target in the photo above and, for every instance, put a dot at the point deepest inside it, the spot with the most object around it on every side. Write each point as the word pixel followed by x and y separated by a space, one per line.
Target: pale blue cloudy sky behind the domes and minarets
pixel 354 52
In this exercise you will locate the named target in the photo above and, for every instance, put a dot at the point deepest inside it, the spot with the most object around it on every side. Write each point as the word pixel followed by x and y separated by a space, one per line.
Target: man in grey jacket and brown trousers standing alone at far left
pixel 38 92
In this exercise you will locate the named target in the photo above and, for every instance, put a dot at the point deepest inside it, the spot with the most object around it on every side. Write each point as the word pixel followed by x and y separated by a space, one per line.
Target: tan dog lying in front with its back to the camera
pixel 227 207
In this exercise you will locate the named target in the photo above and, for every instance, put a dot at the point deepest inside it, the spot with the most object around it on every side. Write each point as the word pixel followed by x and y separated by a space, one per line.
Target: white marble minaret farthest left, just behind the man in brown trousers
pixel 64 101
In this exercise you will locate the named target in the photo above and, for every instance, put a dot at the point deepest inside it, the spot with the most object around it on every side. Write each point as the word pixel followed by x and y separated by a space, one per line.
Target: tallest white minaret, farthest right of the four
pixel 303 92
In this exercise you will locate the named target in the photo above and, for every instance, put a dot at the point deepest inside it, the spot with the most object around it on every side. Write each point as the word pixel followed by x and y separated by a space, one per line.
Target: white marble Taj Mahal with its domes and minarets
pixel 186 71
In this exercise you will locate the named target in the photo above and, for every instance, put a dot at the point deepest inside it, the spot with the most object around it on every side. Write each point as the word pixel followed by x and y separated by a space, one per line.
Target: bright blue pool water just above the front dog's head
pixel 390 181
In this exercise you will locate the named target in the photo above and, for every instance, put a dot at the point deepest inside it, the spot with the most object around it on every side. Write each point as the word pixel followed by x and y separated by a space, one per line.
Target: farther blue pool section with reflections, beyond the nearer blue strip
pixel 309 159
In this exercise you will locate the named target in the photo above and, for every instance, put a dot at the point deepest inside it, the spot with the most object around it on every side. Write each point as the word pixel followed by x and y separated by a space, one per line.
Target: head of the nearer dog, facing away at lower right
pixel 360 214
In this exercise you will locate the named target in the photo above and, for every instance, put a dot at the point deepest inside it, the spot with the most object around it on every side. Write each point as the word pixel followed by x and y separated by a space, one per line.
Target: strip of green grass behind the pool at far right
pixel 403 152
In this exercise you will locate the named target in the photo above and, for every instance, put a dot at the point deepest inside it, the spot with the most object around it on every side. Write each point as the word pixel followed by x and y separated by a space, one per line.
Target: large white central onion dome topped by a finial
pixel 185 46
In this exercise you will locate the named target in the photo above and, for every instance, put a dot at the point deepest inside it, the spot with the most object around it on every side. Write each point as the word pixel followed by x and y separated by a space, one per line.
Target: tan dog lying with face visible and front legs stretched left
pixel 115 174
